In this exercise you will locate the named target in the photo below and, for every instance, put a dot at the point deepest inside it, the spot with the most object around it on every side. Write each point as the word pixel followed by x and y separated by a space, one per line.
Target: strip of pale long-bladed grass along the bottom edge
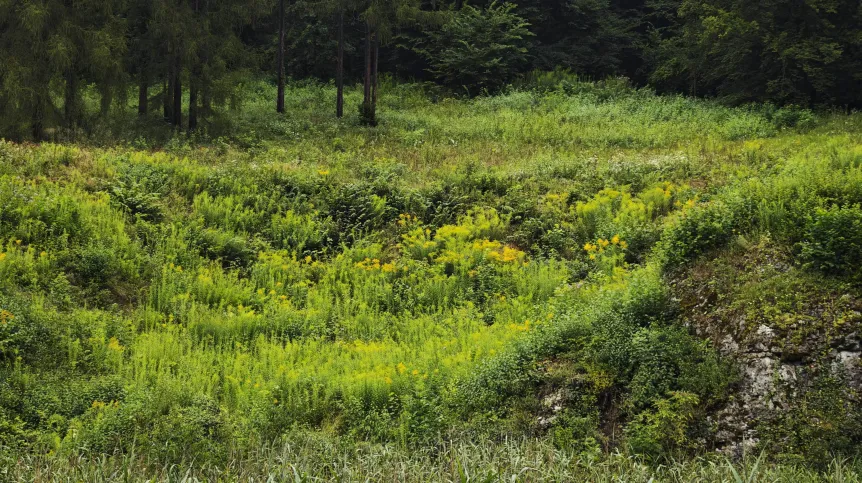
pixel 315 459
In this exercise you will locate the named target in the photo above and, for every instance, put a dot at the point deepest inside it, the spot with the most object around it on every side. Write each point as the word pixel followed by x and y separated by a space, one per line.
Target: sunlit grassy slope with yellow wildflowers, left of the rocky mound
pixel 200 299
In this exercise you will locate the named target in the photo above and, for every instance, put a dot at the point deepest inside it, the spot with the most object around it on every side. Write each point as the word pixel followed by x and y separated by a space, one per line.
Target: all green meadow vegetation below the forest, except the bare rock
pixel 300 297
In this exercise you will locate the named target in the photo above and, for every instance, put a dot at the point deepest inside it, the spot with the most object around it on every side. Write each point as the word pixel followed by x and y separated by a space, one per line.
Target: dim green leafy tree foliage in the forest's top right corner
pixel 782 52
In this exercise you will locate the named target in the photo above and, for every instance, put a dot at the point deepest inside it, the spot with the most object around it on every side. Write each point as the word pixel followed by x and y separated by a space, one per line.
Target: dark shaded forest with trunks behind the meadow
pixel 185 58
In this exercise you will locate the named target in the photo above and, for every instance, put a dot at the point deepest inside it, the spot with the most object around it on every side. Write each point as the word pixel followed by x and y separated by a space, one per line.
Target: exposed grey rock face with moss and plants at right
pixel 784 326
